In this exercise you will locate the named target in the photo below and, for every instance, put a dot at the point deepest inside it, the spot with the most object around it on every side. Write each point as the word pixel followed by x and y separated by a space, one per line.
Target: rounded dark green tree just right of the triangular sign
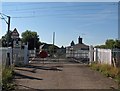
pixel 32 38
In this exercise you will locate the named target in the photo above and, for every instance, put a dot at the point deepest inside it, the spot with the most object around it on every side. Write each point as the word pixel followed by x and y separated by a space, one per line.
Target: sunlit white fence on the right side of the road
pixel 103 56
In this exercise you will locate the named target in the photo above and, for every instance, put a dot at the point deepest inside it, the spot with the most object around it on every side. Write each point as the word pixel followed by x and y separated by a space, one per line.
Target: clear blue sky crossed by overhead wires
pixel 95 22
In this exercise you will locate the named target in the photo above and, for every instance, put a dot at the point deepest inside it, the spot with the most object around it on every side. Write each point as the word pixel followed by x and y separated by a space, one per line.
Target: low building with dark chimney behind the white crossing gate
pixel 79 50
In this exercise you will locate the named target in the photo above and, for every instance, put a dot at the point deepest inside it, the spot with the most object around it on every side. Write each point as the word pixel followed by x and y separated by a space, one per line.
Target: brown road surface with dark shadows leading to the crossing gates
pixel 61 76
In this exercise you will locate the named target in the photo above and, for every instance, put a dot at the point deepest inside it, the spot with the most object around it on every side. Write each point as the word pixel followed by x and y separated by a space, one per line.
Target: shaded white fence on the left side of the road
pixel 16 55
